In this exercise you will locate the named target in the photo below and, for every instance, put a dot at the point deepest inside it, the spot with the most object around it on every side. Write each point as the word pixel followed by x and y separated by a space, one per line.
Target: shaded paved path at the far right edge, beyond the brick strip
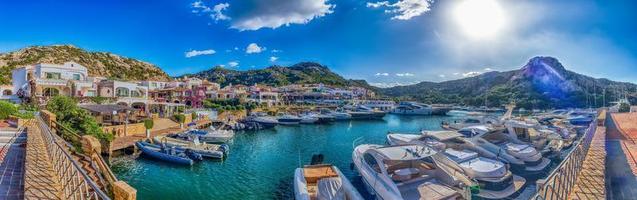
pixel 621 183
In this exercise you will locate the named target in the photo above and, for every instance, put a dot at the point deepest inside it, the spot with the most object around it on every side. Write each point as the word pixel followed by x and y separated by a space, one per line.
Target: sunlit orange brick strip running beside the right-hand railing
pixel 591 182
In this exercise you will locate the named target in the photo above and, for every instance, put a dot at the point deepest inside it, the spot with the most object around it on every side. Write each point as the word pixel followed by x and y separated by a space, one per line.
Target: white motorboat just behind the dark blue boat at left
pixel 215 151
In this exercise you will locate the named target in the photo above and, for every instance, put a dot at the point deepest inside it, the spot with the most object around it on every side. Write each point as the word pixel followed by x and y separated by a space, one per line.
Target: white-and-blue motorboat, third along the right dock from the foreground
pixel 497 141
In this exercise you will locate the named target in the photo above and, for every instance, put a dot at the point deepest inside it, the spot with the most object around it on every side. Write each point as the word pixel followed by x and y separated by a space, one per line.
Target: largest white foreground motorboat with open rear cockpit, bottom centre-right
pixel 407 172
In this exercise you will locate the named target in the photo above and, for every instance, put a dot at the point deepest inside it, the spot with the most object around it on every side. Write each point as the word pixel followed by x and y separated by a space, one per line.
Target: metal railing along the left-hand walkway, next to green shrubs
pixel 76 184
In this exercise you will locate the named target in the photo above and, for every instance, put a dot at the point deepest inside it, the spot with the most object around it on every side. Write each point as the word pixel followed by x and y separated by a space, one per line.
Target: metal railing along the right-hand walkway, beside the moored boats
pixel 561 180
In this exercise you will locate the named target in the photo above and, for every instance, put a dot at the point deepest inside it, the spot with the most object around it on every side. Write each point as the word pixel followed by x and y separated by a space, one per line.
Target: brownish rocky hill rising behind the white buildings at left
pixel 98 63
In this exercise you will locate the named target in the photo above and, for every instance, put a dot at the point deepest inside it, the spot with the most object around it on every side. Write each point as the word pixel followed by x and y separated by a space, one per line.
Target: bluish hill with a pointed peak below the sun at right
pixel 542 83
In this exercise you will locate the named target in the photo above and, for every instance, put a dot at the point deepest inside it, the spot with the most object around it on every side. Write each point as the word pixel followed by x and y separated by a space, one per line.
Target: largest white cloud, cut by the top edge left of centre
pixel 276 13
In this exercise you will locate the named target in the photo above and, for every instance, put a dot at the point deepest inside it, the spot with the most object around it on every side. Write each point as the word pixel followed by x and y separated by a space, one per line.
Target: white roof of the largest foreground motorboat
pixel 405 152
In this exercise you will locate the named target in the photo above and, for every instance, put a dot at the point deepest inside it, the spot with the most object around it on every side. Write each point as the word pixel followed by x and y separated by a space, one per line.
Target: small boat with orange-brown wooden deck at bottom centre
pixel 323 181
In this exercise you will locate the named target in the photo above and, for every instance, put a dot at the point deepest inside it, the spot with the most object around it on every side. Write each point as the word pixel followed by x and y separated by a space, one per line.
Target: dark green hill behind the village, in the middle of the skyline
pixel 305 72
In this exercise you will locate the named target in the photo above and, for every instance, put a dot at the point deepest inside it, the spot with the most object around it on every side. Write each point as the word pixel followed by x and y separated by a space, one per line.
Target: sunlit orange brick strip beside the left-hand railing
pixel 40 180
